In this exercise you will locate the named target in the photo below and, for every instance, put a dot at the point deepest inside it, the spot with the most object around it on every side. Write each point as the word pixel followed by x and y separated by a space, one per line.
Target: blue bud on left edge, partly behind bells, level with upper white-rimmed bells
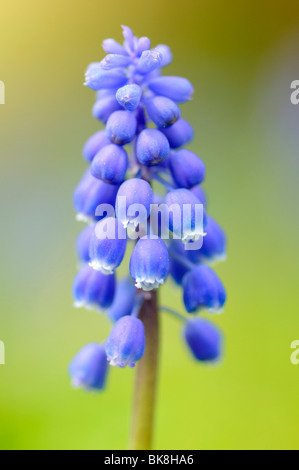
pixel 90 193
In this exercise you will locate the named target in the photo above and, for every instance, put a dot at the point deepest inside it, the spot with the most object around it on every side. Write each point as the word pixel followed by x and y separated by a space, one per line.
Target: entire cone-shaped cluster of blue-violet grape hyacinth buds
pixel 142 149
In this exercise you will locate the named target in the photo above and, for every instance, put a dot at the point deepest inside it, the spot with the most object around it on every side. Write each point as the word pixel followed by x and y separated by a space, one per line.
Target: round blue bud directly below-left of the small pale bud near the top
pixel 121 127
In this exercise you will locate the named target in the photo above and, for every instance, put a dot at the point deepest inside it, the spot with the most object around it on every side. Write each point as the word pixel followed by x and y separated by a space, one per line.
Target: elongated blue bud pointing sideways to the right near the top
pixel 178 89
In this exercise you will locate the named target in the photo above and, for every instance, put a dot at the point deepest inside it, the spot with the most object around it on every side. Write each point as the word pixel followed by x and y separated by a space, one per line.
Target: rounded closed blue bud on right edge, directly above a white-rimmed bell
pixel 187 169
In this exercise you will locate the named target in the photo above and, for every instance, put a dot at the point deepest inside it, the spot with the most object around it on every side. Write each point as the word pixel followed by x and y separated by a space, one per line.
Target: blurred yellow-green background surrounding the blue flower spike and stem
pixel 241 58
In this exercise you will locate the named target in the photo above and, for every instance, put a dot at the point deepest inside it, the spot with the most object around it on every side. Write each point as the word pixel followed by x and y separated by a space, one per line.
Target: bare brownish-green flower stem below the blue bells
pixel 146 378
